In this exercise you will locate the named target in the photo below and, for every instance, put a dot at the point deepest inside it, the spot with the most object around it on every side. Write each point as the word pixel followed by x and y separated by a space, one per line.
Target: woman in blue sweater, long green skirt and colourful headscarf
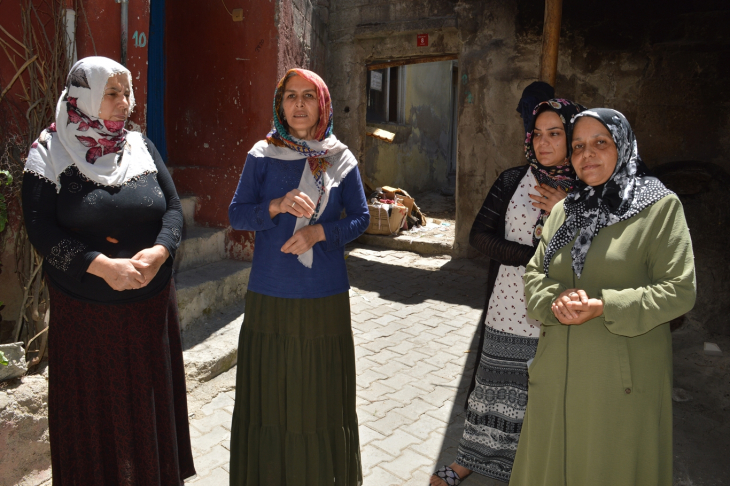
pixel 294 421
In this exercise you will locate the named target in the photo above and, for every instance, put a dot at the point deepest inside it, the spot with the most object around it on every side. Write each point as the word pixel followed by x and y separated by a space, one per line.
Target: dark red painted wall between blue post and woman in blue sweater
pixel 221 77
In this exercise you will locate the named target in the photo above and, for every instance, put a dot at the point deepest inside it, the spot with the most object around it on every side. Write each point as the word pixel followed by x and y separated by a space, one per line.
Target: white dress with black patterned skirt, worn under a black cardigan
pixel 497 404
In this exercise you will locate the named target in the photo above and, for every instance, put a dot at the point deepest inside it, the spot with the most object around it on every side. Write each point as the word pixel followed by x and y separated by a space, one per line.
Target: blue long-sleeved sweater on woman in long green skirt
pixel 281 274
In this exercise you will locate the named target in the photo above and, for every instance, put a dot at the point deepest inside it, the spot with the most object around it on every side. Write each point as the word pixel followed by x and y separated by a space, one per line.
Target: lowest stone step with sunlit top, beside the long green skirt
pixel 211 344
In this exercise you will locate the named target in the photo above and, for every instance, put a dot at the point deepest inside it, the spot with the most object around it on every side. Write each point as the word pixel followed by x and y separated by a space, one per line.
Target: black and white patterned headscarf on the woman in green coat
pixel 627 192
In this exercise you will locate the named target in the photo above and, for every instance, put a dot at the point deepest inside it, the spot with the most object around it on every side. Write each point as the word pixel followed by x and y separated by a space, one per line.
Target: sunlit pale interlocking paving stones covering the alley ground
pixel 414 320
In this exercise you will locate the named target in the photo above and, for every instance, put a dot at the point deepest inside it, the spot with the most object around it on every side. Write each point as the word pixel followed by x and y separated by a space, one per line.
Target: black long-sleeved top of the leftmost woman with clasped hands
pixel 70 228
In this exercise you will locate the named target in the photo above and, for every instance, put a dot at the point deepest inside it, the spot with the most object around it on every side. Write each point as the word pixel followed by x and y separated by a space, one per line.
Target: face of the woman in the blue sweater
pixel 301 107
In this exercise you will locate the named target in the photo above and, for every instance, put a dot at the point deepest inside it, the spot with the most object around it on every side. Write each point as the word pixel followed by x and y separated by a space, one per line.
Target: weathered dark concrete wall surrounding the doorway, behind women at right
pixel 666 69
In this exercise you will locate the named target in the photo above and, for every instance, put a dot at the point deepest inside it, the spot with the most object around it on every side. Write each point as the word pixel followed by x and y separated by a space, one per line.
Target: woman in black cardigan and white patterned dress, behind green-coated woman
pixel 507 230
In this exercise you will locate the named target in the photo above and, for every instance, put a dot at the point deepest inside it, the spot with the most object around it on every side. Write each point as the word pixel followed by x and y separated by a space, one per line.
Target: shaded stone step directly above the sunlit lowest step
pixel 210 288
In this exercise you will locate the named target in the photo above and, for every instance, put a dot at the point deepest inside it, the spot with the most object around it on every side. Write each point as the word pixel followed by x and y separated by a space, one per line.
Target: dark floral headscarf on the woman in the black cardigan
pixel 558 176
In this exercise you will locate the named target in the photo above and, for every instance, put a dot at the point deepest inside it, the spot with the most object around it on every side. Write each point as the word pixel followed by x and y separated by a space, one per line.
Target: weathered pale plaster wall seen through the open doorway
pixel 418 160
